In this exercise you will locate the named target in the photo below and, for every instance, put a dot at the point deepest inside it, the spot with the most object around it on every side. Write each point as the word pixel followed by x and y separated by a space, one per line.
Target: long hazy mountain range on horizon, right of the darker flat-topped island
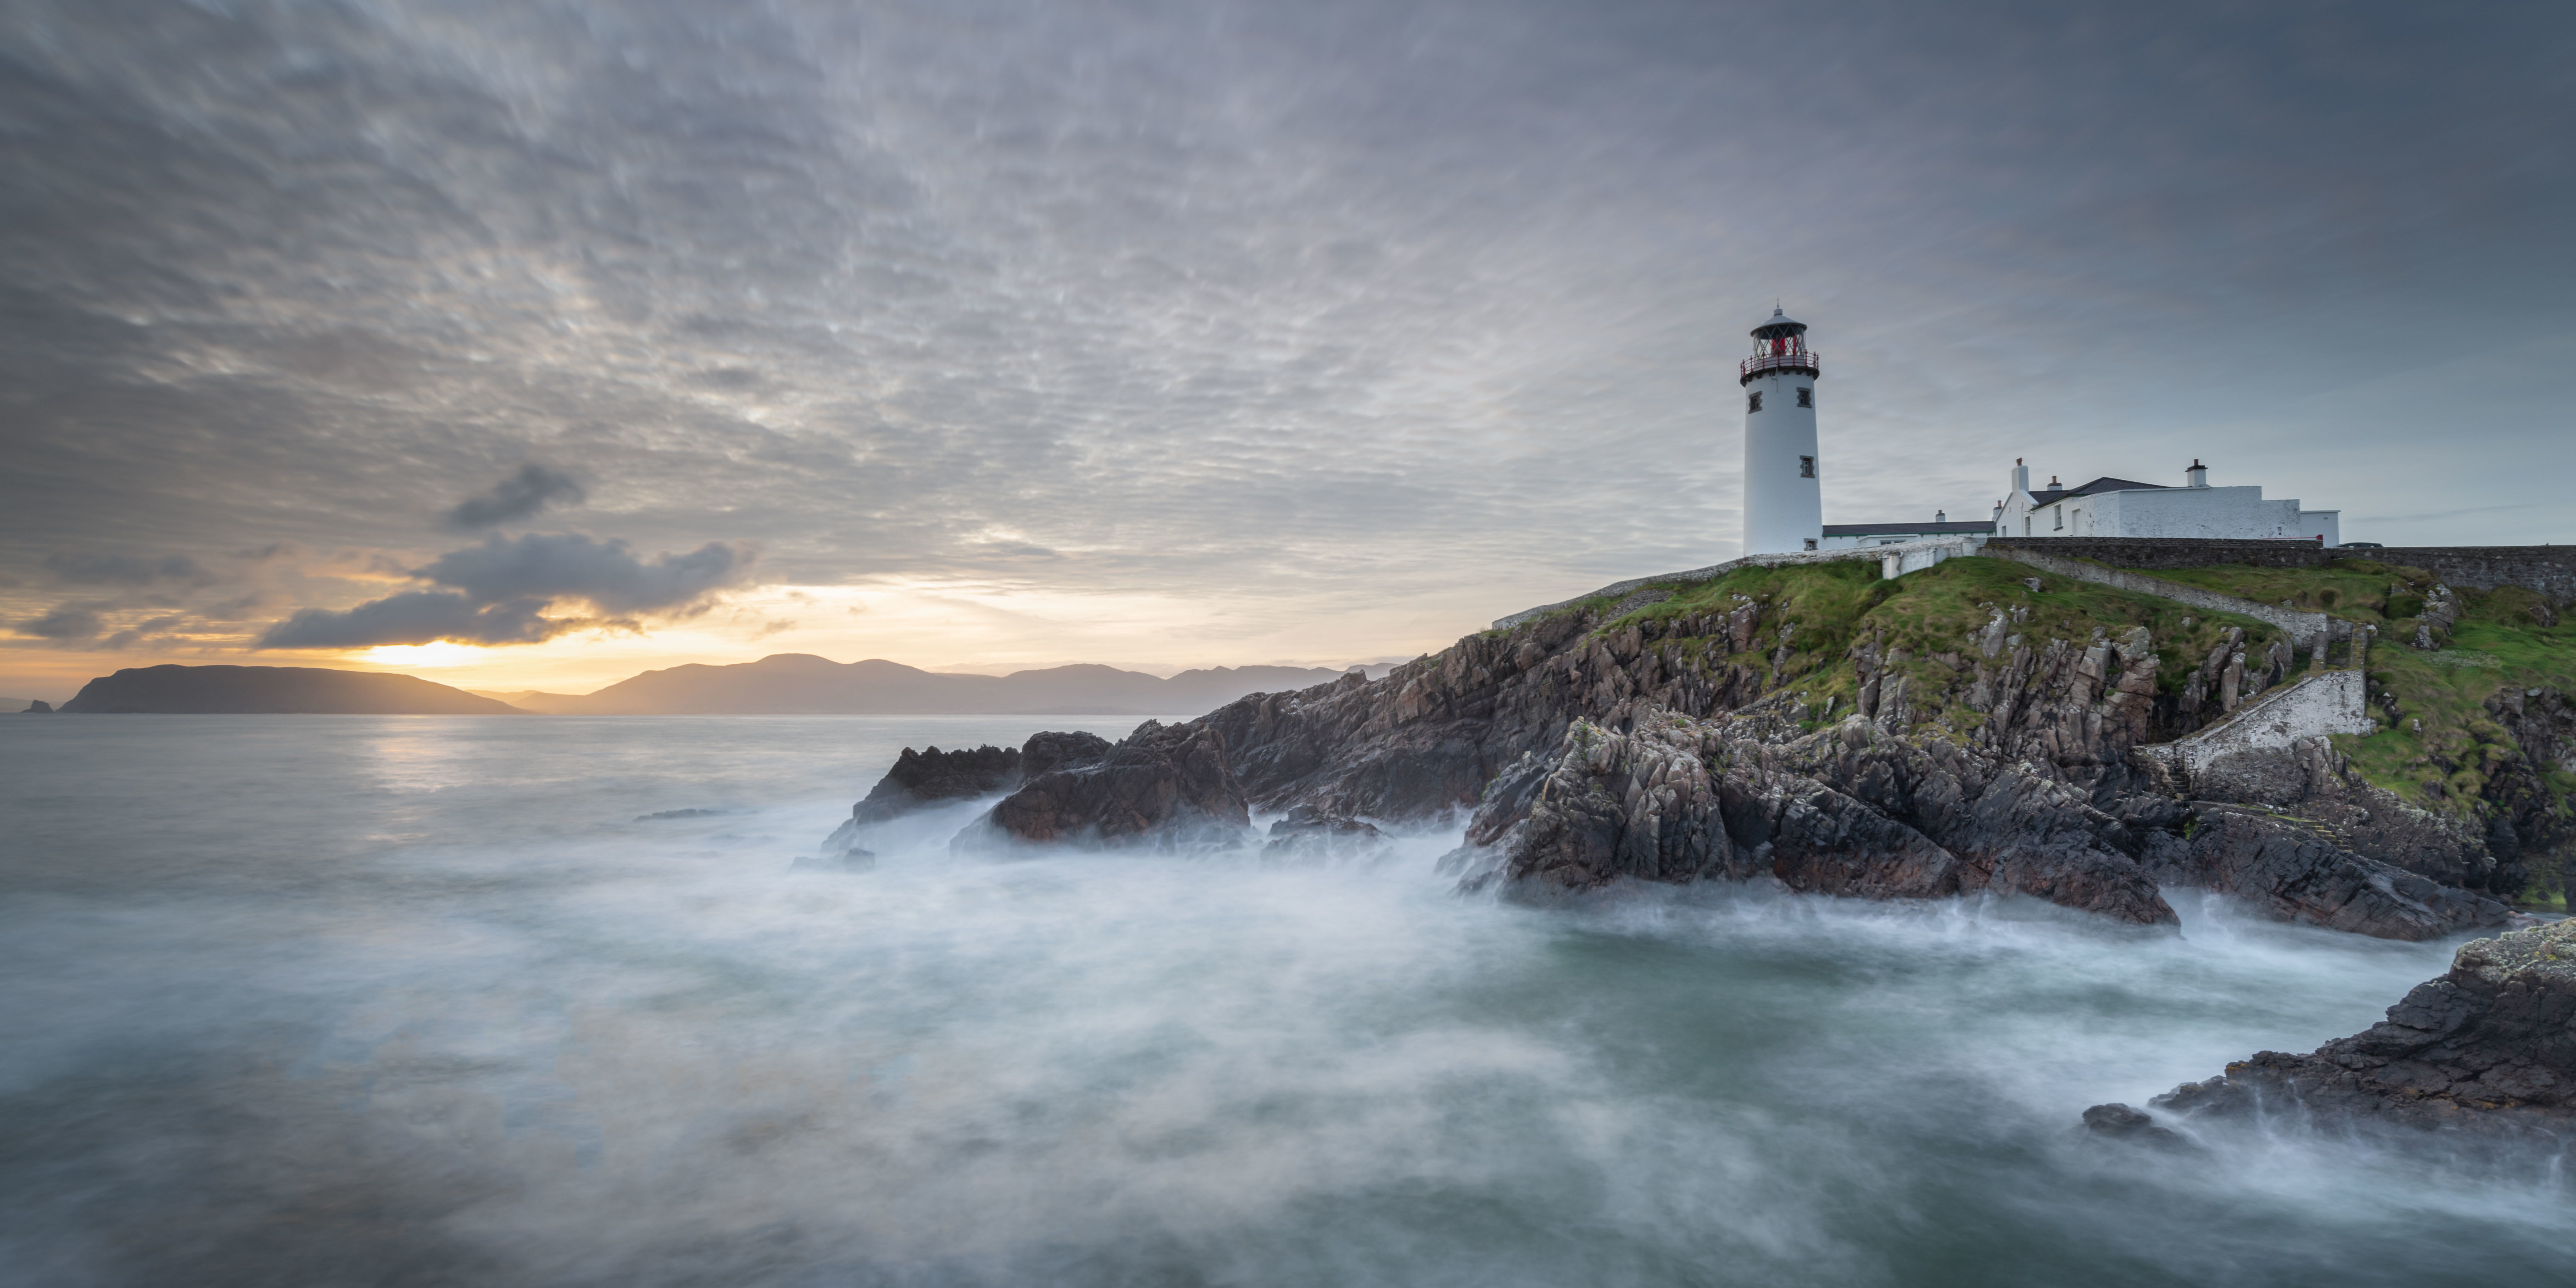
pixel 815 687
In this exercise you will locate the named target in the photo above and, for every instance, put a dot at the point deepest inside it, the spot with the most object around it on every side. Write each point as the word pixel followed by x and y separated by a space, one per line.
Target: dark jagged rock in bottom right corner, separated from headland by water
pixel 2487 1050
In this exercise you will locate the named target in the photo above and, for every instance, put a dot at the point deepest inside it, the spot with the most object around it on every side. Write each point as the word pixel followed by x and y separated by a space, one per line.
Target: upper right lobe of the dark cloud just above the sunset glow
pixel 604 573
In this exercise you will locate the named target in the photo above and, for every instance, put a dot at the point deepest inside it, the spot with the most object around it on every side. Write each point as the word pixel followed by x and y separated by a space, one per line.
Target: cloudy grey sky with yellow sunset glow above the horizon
pixel 537 344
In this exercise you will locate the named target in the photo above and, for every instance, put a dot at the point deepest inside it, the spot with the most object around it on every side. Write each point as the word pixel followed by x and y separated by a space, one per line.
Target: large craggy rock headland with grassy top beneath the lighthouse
pixel 1964 730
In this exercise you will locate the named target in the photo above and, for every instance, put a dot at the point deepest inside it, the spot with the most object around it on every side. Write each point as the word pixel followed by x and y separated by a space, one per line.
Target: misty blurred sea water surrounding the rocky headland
pixel 318 1001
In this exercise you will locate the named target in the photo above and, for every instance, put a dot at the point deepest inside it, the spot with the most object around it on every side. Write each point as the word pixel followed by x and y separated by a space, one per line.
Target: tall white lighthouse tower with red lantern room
pixel 1784 501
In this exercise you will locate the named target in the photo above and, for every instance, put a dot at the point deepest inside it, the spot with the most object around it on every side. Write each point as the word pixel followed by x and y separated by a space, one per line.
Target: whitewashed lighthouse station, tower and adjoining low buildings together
pixel 1784 483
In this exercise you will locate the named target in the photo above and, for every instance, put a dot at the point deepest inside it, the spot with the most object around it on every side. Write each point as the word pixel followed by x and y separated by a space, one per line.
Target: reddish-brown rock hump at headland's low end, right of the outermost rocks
pixel 1166 787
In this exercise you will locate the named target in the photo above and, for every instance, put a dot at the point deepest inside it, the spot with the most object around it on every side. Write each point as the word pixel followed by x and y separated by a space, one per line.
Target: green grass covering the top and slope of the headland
pixel 2443 766
